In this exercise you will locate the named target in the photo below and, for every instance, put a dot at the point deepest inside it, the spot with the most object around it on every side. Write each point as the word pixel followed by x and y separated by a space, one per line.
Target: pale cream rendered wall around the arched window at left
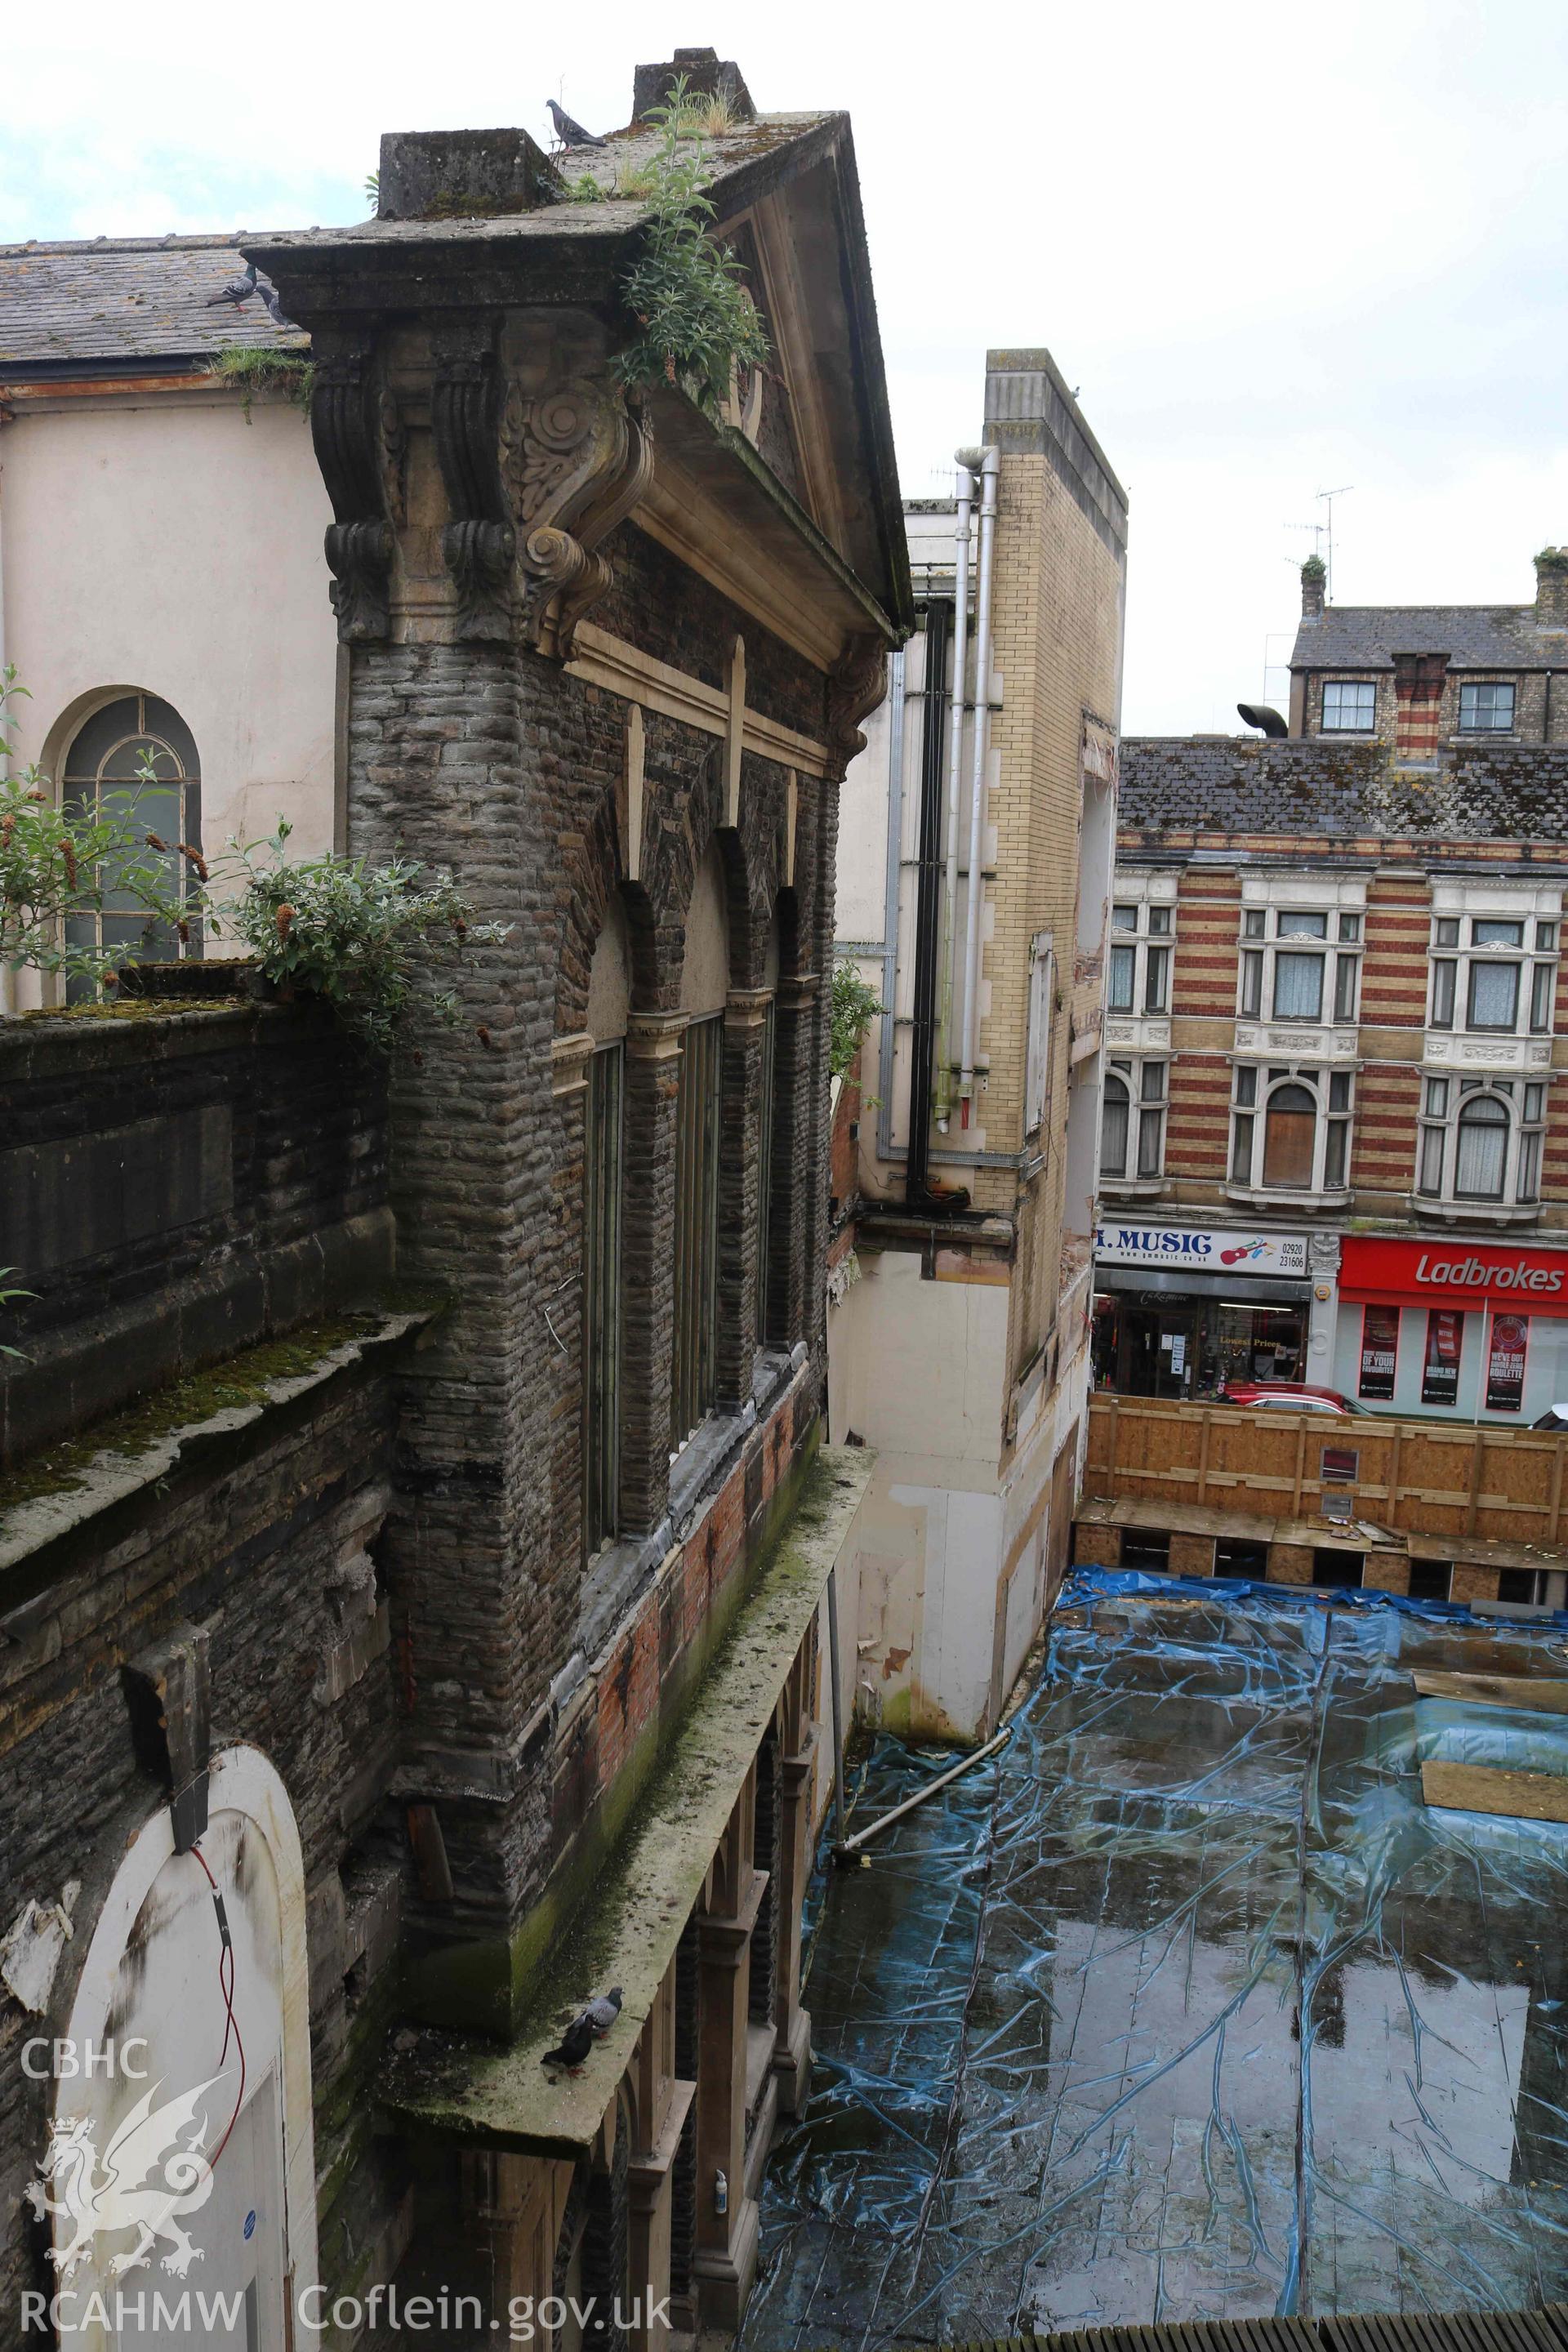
pixel 177 549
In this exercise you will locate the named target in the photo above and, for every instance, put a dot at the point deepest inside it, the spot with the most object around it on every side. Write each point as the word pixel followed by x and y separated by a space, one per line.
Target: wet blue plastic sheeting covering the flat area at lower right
pixel 1186 2007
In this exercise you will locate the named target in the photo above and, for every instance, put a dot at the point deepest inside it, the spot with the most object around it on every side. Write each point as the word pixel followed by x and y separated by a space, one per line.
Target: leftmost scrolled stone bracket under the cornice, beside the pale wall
pixel 354 425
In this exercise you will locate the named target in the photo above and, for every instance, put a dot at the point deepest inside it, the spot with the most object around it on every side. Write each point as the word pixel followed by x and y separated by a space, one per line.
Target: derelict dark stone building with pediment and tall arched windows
pixel 415 1528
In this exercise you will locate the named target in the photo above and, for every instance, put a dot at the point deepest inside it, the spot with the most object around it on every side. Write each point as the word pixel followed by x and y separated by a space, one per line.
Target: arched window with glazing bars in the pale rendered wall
pixel 102 775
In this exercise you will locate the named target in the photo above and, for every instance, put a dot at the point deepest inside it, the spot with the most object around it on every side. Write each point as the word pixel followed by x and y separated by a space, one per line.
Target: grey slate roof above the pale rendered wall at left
pixel 121 305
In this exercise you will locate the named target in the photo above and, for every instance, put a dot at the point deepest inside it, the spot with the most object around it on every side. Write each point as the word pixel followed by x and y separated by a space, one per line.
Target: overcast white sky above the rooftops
pixel 1275 248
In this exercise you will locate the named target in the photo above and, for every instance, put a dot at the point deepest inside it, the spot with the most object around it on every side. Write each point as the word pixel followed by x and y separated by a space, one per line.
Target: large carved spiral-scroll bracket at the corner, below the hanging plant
pixel 575 462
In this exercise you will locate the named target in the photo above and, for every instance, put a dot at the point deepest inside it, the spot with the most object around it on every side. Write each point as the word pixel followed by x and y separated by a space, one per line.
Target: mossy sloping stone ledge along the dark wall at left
pixel 236 1382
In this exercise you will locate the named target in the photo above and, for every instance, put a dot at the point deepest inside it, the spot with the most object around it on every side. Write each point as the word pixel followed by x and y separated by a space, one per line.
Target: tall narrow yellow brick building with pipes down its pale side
pixel 974 874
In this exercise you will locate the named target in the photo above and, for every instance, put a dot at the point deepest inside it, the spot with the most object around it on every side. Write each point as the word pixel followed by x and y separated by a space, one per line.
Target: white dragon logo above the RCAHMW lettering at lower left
pixel 149 2181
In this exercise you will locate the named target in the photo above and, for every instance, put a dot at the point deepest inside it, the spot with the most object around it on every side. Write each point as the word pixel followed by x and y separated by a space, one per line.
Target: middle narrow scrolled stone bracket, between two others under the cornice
pixel 478 542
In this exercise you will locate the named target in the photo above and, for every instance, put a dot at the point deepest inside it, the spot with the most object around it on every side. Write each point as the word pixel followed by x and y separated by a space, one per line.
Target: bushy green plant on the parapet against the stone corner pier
pixel 368 940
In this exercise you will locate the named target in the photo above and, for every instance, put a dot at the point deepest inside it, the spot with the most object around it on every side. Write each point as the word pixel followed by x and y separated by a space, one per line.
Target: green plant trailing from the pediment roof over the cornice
pixel 685 290
